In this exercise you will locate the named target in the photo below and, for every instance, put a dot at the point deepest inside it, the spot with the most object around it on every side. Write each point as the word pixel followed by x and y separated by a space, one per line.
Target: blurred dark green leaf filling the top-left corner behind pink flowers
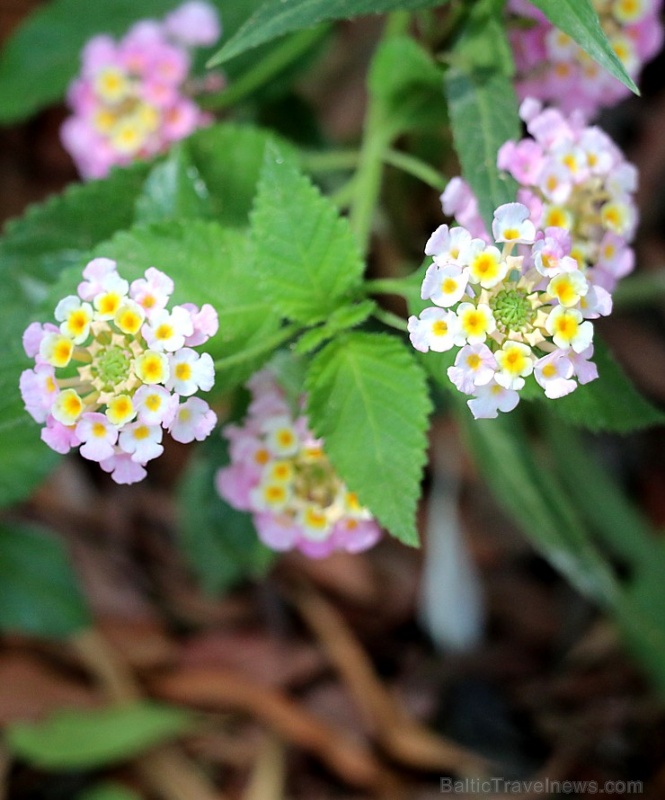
pixel 43 56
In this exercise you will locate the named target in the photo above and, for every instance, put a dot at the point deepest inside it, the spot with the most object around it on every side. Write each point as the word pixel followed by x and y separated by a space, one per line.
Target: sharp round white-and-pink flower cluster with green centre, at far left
pixel 118 369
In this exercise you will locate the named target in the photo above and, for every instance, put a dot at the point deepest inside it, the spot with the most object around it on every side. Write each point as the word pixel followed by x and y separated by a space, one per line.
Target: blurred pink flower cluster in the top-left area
pixel 131 99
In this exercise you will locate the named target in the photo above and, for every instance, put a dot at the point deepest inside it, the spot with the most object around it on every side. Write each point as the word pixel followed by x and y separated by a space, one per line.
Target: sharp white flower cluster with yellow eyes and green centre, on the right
pixel 511 314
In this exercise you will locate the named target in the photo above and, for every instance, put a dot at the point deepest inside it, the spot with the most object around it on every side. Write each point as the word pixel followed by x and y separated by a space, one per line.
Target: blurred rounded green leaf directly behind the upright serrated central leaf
pixel 229 159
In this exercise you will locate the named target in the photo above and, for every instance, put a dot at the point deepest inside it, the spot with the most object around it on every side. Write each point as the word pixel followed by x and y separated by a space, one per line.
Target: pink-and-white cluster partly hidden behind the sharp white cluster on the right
pixel 571 176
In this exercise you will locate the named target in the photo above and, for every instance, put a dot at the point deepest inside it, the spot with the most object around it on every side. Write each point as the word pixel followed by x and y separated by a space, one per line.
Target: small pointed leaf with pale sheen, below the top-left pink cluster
pixel 173 189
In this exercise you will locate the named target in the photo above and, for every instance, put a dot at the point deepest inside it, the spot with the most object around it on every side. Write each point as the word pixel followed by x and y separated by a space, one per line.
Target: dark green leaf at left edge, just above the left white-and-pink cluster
pixel 60 232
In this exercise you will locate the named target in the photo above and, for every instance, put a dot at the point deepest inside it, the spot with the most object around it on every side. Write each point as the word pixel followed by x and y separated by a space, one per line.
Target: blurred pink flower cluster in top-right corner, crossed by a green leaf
pixel 553 68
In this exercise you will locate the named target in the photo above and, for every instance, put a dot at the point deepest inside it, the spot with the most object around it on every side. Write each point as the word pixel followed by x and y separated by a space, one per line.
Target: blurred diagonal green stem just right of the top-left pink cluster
pixel 265 69
